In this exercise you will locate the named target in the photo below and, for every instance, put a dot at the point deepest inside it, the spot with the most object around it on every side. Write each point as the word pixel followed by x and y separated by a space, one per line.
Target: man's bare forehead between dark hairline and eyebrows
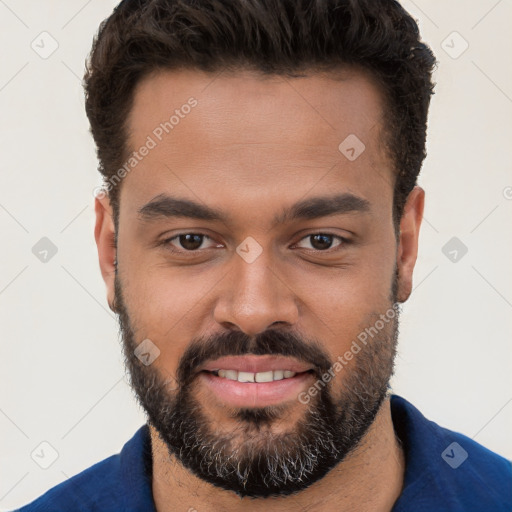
pixel 249 136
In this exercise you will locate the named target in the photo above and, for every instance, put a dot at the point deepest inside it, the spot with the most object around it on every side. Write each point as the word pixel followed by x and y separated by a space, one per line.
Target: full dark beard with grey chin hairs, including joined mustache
pixel 252 459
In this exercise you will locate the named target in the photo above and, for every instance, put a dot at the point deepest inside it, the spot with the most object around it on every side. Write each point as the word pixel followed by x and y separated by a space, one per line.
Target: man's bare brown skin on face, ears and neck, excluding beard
pixel 251 147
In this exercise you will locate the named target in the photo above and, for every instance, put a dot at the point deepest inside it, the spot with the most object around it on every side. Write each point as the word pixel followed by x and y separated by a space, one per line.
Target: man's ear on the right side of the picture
pixel 408 243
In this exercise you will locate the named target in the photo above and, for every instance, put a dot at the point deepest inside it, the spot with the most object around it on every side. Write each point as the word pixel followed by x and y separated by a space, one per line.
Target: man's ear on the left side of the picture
pixel 104 233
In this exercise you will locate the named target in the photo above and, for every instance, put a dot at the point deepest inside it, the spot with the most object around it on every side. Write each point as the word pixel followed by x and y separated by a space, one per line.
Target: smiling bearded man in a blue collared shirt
pixel 258 231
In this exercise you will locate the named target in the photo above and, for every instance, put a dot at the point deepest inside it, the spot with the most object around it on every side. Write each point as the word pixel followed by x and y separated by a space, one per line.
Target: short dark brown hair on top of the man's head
pixel 280 37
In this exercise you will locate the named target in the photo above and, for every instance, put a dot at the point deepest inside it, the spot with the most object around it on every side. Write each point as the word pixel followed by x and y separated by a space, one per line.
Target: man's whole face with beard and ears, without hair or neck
pixel 258 266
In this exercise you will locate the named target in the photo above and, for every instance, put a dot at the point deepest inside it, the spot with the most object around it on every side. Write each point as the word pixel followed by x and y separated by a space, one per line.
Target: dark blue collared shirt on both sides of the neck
pixel 445 471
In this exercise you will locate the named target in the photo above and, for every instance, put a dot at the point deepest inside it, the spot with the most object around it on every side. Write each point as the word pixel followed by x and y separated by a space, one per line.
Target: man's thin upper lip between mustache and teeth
pixel 256 364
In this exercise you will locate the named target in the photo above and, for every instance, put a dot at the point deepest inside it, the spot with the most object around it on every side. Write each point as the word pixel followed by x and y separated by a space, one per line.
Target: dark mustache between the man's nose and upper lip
pixel 237 343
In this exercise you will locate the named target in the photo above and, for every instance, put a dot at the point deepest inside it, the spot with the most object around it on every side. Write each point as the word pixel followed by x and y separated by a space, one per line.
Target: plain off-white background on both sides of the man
pixel 62 376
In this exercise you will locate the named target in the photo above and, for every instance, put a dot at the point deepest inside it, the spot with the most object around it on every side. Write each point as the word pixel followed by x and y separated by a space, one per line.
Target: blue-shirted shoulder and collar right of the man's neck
pixel 446 469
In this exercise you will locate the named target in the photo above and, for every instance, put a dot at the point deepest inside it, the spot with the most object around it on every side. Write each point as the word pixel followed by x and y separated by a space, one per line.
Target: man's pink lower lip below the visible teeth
pixel 256 394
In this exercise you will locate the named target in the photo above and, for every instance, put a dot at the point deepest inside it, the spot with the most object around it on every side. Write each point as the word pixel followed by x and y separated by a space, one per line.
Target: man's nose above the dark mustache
pixel 255 297
